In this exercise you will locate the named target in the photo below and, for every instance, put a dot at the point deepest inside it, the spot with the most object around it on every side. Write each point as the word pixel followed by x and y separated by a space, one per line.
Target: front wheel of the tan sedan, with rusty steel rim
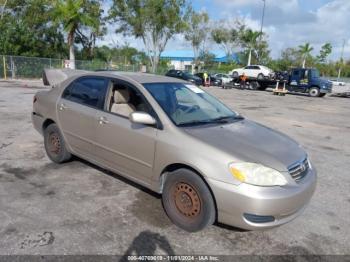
pixel 187 200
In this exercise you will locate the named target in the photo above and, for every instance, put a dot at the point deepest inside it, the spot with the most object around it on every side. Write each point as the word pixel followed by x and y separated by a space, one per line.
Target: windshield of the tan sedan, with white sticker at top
pixel 188 105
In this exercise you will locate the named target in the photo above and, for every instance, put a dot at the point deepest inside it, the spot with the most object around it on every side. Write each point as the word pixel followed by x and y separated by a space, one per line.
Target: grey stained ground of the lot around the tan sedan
pixel 77 208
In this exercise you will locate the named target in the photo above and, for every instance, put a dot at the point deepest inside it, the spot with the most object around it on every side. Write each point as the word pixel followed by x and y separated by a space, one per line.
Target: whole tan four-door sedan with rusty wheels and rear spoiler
pixel 208 162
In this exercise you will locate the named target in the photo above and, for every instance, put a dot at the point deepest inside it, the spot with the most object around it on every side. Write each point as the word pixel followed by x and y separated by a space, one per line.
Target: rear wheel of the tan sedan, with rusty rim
pixel 55 145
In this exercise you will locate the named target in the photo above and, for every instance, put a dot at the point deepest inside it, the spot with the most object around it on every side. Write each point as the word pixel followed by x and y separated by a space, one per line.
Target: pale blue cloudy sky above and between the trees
pixel 288 23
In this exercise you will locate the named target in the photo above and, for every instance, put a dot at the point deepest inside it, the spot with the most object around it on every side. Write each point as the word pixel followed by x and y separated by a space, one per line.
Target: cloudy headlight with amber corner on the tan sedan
pixel 256 174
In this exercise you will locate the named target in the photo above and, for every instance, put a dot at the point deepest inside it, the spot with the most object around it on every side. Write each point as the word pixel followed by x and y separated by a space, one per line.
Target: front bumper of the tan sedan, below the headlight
pixel 236 205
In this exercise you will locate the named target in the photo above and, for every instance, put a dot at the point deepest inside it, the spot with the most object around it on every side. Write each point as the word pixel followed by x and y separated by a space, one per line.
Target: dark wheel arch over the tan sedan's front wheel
pixel 176 166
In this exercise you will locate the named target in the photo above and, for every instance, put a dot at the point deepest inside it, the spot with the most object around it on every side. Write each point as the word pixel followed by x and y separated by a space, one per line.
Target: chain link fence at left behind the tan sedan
pixel 20 67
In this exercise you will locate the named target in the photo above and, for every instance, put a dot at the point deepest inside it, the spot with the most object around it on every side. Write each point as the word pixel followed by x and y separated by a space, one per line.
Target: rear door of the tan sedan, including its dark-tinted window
pixel 77 110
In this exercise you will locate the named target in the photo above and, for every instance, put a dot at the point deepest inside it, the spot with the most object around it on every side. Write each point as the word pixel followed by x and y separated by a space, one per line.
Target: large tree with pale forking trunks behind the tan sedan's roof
pixel 153 21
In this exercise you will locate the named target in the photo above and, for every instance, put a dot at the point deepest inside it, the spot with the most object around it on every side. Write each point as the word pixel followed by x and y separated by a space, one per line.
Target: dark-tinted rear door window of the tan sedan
pixel 88 91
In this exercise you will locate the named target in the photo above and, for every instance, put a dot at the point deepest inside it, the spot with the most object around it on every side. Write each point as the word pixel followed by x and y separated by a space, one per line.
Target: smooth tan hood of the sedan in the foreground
pixel 251 142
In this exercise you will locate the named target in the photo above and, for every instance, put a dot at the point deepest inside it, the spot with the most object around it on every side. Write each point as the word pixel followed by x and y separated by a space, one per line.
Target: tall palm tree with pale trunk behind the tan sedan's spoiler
pixel 72 15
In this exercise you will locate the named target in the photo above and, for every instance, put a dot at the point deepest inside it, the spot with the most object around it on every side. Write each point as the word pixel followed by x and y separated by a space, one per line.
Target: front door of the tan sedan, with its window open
pixel 122 145
